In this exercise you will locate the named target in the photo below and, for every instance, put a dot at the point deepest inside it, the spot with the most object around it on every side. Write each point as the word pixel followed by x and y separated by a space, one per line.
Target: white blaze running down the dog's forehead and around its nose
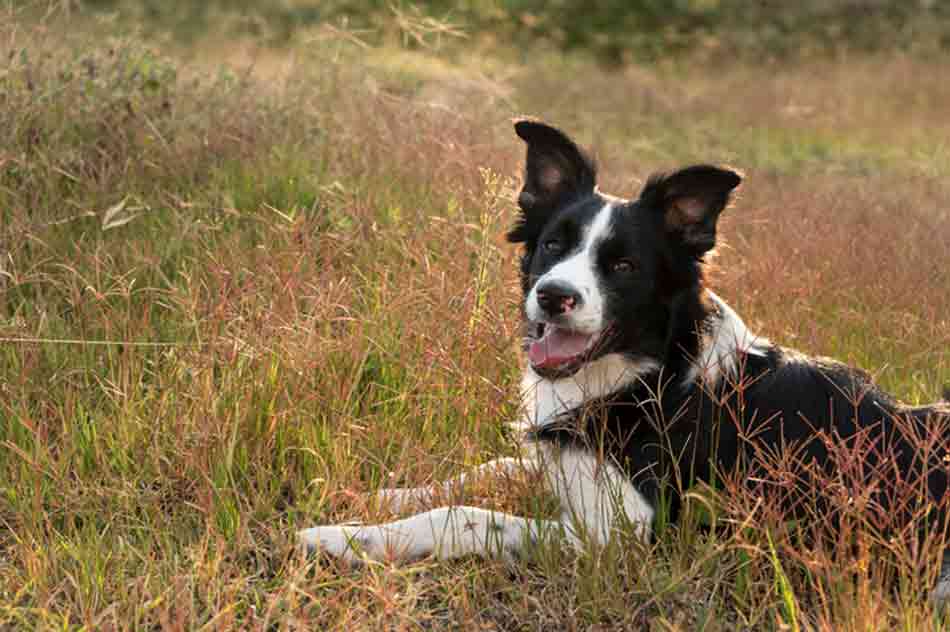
pixel 580 271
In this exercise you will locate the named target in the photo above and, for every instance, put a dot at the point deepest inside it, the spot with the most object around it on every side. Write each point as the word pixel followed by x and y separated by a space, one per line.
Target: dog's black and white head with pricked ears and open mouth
pixel 600 274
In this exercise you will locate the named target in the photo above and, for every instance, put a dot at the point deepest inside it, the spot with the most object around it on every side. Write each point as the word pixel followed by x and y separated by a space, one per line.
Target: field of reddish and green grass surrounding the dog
pixel 244 285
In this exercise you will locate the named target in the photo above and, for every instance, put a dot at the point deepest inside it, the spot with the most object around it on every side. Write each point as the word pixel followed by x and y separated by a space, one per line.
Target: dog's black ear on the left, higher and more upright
pixel 556 170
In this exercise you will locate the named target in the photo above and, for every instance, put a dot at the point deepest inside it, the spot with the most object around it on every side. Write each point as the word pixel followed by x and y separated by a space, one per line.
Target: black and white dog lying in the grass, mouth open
pixel 641 381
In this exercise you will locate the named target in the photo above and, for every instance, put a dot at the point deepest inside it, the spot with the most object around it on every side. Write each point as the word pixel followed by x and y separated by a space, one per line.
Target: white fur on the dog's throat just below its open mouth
pixel 543 400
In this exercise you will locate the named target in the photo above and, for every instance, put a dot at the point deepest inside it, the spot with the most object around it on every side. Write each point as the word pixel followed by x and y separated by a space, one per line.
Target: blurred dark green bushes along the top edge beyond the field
pixel 615 31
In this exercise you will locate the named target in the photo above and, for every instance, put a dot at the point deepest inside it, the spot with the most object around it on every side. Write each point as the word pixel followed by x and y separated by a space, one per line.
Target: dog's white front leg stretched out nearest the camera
pixel 444 533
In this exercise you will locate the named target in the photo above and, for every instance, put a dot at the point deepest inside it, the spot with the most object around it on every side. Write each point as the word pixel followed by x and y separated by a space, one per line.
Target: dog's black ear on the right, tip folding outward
pixel 691 200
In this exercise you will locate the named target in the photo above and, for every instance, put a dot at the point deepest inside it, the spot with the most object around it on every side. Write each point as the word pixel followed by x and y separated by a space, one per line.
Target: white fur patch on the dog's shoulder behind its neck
pixel 718 357
